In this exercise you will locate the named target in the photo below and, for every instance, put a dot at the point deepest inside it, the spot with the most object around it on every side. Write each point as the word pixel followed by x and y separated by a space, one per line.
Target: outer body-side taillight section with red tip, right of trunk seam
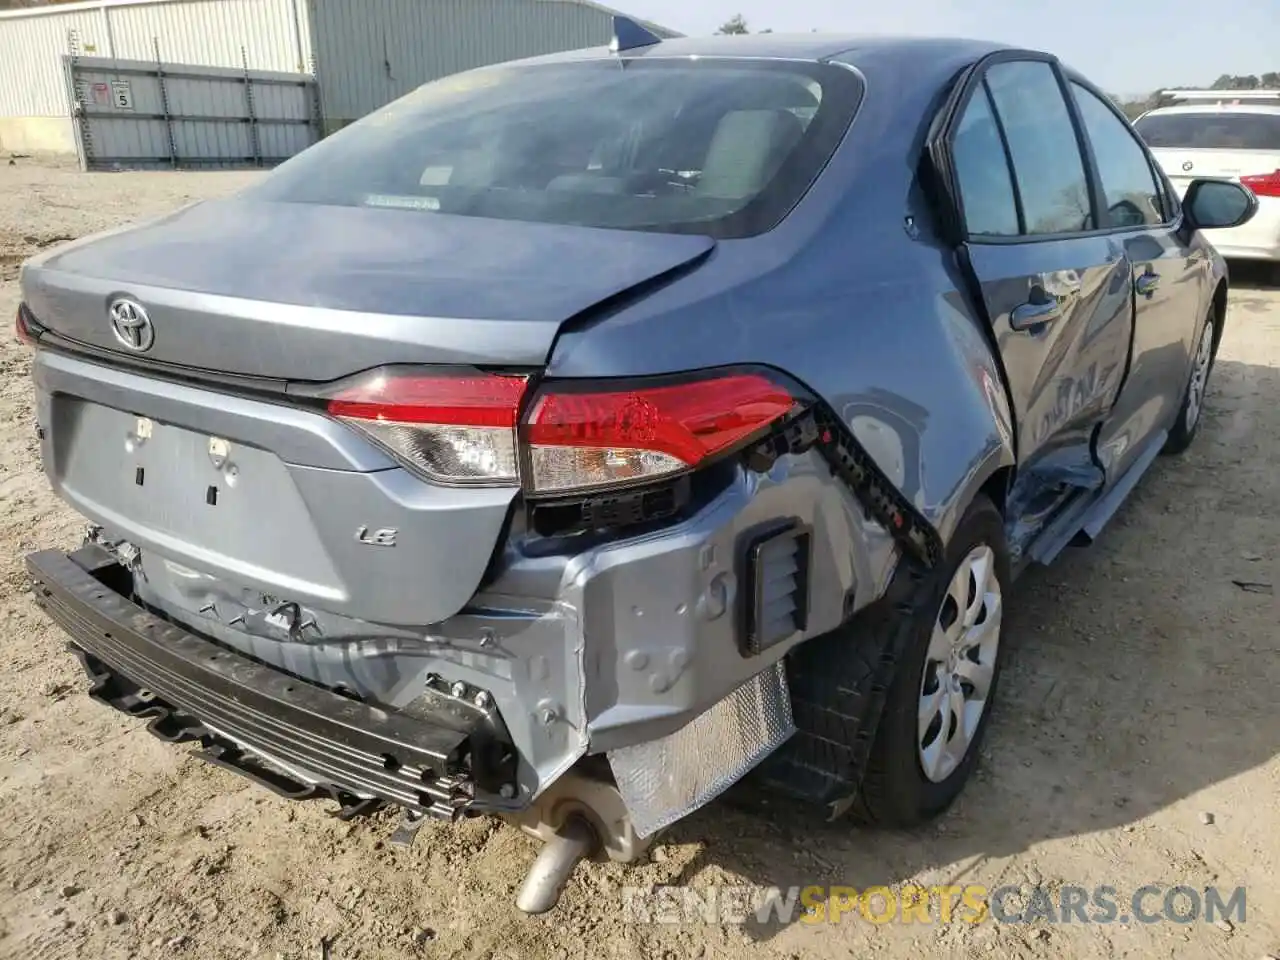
pixel 587 438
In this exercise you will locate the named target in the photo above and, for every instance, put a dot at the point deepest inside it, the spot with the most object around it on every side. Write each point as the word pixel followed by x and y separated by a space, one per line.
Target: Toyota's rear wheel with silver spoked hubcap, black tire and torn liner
pixel 890 708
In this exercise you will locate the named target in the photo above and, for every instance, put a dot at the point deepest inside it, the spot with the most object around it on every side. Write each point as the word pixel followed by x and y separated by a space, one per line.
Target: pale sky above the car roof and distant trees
pixel 1127 48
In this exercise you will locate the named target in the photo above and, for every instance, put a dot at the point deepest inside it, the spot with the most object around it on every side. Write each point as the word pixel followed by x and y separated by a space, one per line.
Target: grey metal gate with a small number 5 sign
pixel 134 115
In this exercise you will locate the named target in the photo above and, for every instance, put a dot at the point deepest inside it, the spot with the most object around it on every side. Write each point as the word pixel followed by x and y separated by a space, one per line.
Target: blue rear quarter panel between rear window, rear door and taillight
pixel 852 295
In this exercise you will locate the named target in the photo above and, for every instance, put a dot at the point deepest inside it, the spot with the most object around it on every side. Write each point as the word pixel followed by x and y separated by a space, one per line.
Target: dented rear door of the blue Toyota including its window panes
pixel 1057 289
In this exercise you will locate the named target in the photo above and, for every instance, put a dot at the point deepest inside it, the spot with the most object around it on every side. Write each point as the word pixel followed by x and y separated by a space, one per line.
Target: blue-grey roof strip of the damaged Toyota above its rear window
pixel 851 48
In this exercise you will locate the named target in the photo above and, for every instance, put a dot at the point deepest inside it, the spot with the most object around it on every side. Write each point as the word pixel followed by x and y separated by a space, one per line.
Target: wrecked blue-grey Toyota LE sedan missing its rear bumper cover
pixel 566 442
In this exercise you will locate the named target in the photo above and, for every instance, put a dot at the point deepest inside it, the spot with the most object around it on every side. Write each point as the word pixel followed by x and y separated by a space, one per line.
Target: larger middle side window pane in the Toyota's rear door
pixel 1048 163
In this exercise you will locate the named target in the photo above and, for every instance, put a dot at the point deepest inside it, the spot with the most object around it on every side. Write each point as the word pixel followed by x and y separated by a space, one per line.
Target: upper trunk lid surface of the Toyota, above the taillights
pixel 305 292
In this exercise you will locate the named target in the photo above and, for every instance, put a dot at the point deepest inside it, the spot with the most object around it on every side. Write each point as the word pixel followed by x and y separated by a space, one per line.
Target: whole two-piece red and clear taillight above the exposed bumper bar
pixel 577 436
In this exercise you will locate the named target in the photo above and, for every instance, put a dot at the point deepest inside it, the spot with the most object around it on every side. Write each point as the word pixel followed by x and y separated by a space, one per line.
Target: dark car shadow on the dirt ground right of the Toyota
pixel 1139 674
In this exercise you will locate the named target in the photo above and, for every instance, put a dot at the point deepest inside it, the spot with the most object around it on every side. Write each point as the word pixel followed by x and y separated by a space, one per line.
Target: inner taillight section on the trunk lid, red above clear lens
pixel 452 428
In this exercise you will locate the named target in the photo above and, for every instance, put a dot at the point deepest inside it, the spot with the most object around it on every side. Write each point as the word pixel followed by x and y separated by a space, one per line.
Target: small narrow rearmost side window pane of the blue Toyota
pixel 982 172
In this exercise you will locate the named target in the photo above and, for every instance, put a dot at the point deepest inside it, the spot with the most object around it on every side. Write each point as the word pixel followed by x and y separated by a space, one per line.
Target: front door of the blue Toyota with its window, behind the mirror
pixel 1172 282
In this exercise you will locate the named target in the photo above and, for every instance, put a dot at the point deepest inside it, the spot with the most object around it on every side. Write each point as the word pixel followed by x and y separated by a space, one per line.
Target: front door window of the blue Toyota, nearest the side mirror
pixel 1132 195
